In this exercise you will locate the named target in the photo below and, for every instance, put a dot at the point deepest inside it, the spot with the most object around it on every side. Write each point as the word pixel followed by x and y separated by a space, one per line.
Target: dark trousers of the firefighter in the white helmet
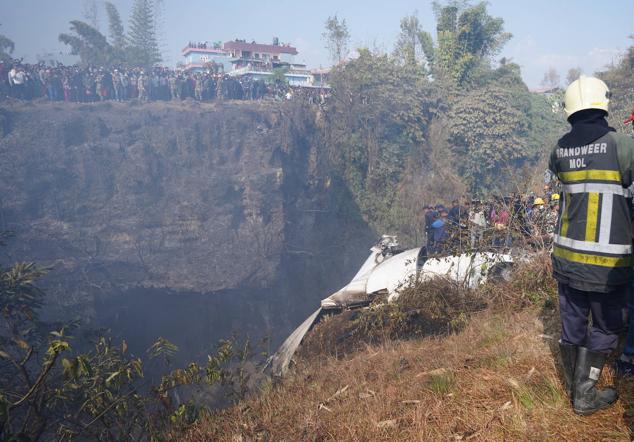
pixel 607 317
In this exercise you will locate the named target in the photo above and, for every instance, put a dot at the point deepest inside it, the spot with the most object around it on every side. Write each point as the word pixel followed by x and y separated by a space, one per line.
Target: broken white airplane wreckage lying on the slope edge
pixel 387 270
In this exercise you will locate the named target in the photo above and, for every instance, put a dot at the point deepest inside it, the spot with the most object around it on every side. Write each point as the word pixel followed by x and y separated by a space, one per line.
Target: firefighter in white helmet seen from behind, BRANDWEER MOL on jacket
pixel 592 251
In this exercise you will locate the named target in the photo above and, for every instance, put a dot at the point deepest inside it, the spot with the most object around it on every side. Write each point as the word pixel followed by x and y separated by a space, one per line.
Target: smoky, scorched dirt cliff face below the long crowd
pixel 229 206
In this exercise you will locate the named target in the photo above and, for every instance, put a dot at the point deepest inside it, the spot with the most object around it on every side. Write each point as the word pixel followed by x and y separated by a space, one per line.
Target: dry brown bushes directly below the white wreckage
pixel 434 307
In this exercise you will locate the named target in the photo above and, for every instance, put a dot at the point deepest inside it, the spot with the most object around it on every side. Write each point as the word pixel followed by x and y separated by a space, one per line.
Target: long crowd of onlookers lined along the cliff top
pixel 92 84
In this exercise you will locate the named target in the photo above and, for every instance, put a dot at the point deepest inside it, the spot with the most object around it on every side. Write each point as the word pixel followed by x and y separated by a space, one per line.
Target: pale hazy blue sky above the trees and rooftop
pixel 546 33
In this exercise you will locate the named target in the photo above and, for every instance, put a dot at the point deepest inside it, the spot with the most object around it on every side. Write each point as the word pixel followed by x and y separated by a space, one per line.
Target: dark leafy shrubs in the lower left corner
pixel 60 381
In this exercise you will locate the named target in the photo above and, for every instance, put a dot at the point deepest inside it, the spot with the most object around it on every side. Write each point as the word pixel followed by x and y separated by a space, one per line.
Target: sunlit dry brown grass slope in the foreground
pixel 496 379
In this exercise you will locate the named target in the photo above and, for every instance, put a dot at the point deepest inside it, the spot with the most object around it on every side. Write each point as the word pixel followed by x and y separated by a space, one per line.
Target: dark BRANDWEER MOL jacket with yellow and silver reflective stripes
pixel 592 248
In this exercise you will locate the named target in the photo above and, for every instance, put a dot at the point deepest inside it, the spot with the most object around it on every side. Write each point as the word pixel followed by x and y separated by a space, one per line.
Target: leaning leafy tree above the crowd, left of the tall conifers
pixel 90 44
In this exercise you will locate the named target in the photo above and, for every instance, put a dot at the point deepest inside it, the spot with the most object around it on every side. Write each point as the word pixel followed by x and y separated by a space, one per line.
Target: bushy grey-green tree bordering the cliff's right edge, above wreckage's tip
pixel 379 114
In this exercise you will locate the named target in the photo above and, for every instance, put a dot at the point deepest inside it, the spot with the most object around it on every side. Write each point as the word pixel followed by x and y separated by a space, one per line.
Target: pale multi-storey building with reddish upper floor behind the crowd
pixel 255 60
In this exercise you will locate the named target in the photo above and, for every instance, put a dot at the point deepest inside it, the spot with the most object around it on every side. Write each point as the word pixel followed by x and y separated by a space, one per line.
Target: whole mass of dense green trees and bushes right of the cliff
pixel 436 119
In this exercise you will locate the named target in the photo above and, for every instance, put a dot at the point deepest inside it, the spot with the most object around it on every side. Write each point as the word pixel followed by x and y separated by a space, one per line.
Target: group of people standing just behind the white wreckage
pixel 492 224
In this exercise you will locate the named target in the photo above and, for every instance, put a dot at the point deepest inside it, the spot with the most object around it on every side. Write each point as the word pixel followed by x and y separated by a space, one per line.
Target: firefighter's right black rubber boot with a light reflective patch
pixel 587 399
